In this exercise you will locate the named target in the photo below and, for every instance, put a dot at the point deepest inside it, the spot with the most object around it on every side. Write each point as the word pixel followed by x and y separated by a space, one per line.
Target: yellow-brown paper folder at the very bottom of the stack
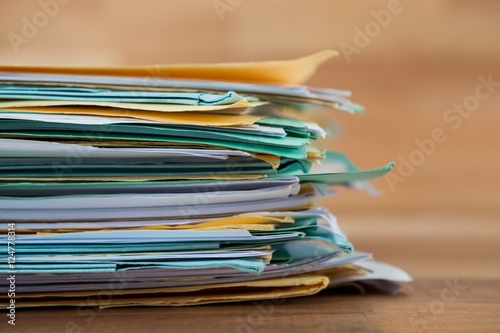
pixel 291 286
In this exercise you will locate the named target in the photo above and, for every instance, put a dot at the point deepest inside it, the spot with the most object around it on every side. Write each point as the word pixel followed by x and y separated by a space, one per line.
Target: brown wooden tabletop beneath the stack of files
pixel 437 249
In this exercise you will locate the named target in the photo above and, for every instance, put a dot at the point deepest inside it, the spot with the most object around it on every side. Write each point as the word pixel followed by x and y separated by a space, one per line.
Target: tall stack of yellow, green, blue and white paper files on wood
pixel 174 185
